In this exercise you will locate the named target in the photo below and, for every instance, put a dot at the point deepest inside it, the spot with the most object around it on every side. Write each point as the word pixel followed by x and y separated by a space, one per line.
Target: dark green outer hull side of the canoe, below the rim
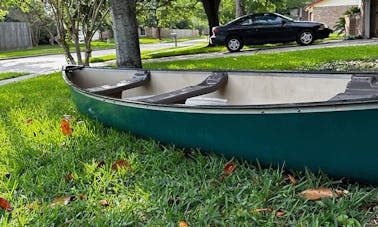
pixel 339 140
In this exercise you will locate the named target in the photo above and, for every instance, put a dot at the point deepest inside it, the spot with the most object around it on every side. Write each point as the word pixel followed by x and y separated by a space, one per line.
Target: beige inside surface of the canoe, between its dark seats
pixel 241 88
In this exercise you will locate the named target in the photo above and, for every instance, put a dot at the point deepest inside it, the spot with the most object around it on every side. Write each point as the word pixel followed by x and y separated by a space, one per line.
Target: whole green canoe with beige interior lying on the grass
pixel 321 121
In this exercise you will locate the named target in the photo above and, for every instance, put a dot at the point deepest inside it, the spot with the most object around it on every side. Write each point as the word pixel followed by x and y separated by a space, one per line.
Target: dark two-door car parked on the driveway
pixel 262 28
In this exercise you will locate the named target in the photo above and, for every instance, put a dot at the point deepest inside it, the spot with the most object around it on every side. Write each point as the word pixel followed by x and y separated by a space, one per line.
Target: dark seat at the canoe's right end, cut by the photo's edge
pixel 360 87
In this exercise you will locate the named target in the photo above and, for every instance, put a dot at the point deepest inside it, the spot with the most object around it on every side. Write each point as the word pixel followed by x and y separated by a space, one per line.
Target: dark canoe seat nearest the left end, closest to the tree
pixel 139 79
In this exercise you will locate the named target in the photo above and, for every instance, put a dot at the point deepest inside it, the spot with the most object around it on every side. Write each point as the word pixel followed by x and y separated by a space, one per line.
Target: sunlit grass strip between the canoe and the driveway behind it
pixel 301 60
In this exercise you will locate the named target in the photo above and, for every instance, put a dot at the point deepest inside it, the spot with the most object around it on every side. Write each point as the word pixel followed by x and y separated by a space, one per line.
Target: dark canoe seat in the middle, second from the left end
pixel 210 84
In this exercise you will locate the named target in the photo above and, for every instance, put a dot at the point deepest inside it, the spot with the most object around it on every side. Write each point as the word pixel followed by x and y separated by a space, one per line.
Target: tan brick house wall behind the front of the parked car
pixel 330 14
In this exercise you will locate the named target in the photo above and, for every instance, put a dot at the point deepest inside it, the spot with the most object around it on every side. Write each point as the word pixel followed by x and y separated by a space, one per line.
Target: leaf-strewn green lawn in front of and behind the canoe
pixel 98 176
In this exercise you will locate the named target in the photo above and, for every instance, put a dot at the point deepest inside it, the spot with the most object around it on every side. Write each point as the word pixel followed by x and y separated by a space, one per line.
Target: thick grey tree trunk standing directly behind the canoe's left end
pixel 126 37
